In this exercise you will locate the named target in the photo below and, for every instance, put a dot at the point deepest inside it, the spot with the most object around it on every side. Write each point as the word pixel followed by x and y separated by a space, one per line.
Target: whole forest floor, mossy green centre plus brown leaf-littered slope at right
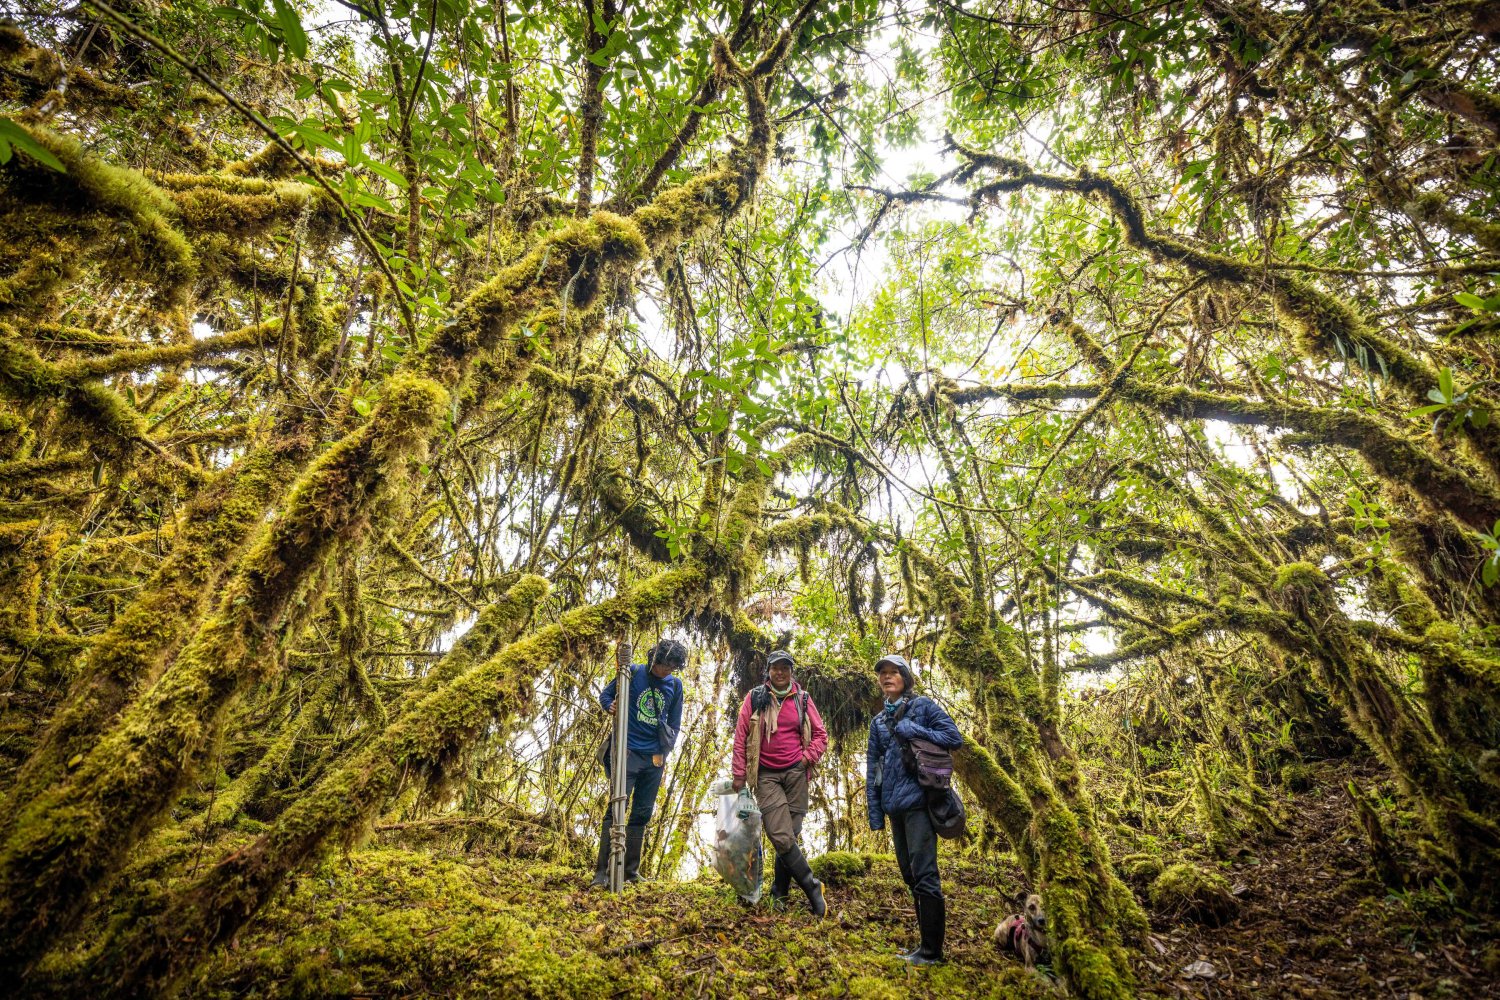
pixel 391 923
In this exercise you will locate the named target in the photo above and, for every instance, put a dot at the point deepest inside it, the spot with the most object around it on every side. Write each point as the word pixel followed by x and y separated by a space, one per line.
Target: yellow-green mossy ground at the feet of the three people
pixel 398 923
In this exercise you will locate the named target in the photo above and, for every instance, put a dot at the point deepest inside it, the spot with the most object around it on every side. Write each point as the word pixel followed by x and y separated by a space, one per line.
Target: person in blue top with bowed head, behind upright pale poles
pixel 656 716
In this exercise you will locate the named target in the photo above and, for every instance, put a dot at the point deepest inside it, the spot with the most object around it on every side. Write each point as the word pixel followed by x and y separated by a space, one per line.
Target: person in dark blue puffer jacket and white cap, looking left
pixel 893 792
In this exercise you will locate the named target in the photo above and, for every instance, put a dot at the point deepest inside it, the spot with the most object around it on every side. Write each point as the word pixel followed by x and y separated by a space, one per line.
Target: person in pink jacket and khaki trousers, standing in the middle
pixel 779 740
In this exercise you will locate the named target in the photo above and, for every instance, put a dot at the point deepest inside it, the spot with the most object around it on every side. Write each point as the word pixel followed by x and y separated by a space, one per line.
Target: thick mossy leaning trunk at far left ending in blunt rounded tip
pixel 77 833
